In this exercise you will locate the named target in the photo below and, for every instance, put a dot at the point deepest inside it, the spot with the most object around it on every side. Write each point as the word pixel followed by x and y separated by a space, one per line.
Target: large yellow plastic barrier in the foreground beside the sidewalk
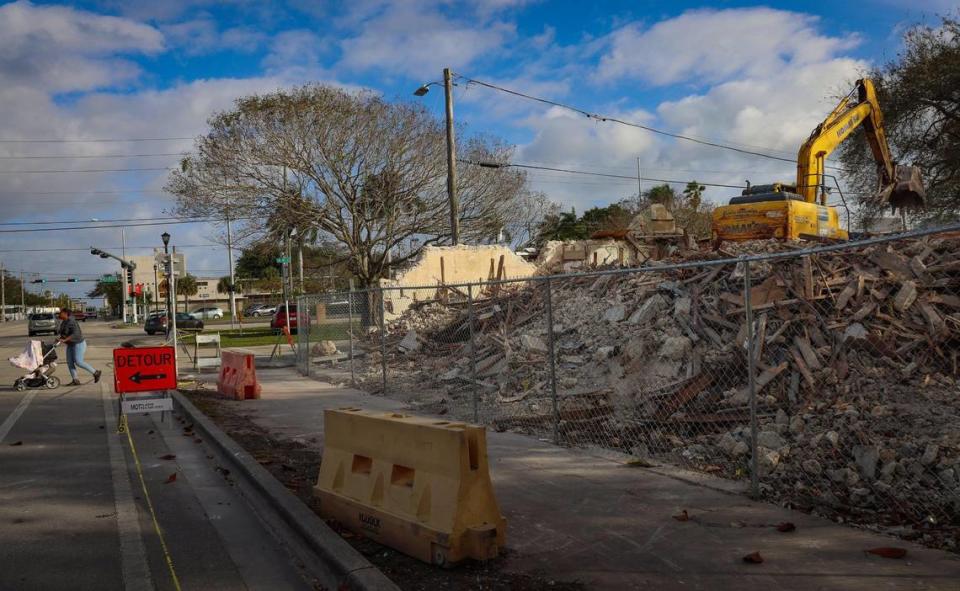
pixel 416 484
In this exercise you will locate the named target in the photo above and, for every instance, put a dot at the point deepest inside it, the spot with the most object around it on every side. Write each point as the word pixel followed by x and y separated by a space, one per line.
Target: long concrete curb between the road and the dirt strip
pixel 345 567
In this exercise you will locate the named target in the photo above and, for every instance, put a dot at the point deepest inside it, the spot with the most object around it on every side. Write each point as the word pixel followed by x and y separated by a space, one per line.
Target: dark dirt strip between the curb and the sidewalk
pixel 296 466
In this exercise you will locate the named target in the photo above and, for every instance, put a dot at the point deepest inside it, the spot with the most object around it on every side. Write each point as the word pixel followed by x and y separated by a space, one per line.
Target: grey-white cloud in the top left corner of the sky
pixel 65 50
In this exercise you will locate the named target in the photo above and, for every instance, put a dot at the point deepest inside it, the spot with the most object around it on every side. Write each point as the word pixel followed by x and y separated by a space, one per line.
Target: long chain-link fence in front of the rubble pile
pixel 825 378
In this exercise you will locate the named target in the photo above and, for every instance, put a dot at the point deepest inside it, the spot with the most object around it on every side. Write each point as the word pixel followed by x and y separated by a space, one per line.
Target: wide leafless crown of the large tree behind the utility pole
pixel 368 174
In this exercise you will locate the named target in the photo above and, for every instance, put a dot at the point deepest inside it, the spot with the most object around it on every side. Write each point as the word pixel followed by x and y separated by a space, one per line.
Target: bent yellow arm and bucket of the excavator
pixel 899 185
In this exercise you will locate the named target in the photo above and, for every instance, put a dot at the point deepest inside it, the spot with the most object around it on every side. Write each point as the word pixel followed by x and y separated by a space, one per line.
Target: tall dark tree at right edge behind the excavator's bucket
pixel 917 91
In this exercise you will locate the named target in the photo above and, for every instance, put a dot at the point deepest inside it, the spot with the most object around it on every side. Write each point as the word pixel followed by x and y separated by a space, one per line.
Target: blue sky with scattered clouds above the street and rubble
pixel 759 76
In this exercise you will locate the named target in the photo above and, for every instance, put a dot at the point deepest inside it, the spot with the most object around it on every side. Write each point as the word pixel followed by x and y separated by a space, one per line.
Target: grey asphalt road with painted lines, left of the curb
pixel 73 513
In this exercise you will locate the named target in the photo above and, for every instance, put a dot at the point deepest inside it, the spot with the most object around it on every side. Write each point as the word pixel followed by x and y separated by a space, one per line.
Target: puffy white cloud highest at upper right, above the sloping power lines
pixel 715 45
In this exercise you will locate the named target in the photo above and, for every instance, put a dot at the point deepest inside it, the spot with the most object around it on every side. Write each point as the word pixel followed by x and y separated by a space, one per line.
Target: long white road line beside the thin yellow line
pixel 133 556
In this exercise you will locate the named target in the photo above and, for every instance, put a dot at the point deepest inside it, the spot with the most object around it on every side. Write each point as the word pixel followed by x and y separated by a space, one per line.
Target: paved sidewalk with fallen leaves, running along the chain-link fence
pixel 574 515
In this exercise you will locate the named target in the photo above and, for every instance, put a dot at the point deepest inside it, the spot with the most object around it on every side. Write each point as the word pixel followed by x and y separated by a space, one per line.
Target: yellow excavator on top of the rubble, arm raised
pixel 793 212
